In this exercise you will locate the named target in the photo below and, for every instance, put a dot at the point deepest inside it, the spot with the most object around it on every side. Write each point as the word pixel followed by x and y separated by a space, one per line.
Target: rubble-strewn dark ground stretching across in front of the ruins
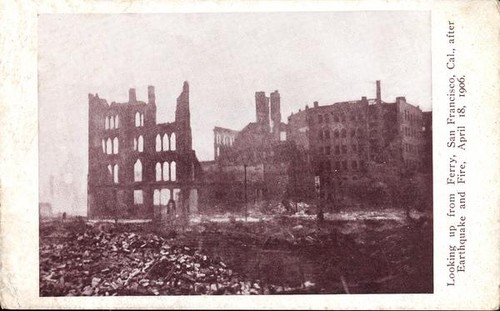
pixel 351 252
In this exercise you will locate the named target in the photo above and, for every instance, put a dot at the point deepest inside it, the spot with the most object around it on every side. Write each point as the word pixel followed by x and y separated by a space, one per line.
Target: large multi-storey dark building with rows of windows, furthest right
pixel 350 141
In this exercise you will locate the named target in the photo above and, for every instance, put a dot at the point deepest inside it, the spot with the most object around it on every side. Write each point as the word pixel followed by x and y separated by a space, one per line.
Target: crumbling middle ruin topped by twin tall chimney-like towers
pixel 256 154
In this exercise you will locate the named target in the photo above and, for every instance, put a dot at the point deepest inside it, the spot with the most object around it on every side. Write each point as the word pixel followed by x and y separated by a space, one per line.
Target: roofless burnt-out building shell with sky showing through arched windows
pixel 136 165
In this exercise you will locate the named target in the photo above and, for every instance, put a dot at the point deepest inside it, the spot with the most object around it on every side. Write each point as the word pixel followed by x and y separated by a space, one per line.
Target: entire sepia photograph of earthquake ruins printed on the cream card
pixel 235 153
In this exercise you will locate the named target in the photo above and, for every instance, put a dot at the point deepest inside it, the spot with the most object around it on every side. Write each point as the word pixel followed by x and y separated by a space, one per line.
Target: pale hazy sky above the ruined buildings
pixel 226 58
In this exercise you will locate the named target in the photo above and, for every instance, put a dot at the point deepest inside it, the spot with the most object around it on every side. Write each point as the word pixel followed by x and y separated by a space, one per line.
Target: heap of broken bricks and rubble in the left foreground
pixel 109 263
